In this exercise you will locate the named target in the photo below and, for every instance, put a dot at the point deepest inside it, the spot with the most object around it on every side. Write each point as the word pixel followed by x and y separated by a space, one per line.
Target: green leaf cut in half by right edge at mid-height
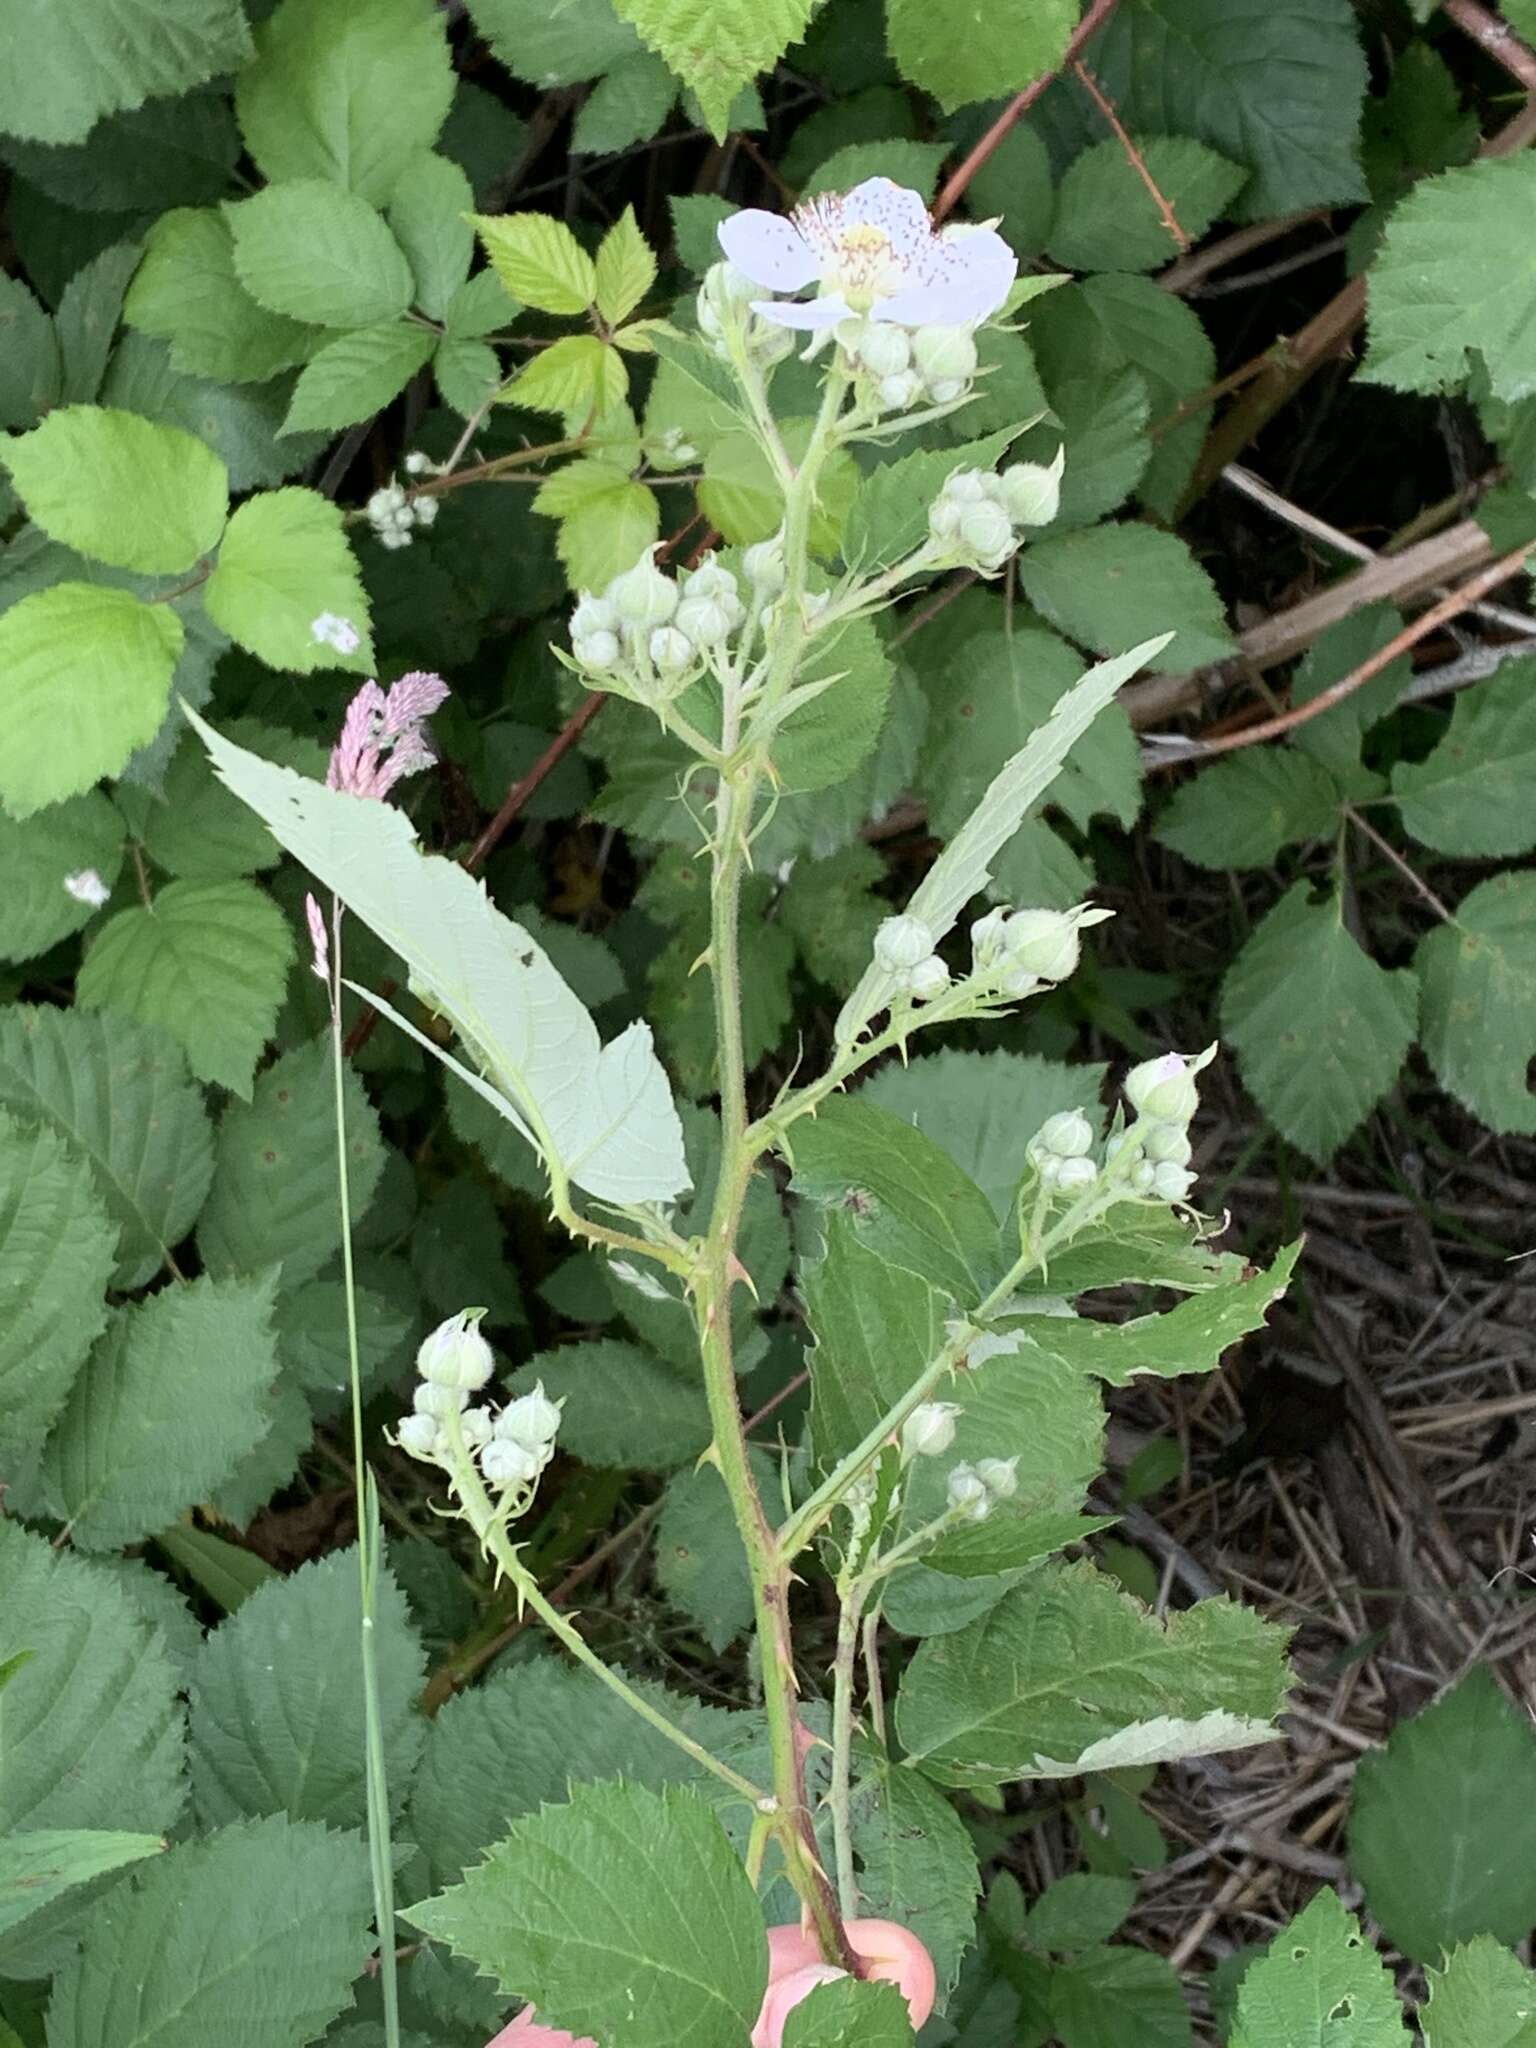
pixel 1478 984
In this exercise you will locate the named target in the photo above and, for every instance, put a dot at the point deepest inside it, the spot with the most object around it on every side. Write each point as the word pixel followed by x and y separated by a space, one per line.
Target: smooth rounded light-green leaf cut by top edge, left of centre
pixel 345 93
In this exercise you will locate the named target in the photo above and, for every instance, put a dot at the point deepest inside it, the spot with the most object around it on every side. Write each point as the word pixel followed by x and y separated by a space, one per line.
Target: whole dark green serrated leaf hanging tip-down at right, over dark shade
pixel 1320 1029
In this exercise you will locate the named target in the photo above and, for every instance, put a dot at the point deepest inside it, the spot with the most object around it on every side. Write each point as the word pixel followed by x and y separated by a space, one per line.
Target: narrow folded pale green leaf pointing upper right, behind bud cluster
pixel 966 865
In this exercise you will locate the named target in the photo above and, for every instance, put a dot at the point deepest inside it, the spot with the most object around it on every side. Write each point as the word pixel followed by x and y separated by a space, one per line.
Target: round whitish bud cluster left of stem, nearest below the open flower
pixel 654 634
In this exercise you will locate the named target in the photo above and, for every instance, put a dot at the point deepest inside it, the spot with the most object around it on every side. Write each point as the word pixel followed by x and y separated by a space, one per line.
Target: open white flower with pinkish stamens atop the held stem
pixel 871 251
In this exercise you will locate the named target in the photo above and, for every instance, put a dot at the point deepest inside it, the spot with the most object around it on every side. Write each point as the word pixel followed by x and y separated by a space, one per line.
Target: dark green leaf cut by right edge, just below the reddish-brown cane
pixel 1474 794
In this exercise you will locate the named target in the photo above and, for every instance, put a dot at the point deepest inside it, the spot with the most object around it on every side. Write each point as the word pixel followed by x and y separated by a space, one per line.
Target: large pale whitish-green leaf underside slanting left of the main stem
pixel 603 1111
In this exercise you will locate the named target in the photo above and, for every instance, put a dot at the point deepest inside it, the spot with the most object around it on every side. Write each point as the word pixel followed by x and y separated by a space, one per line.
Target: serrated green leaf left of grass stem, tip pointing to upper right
pixel 148 1431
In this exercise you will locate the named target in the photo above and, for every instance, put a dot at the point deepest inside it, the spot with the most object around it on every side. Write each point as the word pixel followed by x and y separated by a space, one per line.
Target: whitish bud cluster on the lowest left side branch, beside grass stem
pixel 511 1445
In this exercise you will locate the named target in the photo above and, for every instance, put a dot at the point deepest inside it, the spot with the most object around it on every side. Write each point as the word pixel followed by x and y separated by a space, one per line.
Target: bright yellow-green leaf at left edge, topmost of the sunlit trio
pixel 122 490
